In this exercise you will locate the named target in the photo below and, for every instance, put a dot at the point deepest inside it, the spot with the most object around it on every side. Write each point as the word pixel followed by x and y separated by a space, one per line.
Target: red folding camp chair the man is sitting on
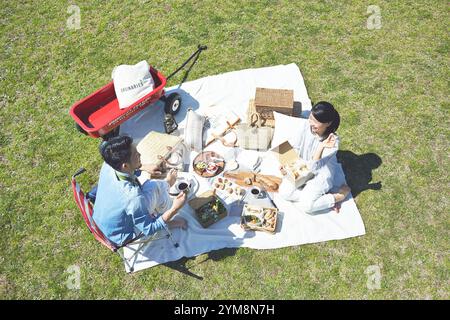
pixel 85 204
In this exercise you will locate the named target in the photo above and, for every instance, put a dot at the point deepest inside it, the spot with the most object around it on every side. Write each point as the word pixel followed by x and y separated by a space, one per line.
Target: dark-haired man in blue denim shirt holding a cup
pixel 123 207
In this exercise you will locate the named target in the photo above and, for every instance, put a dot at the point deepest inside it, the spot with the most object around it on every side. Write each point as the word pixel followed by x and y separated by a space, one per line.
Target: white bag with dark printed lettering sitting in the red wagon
pixel 132 82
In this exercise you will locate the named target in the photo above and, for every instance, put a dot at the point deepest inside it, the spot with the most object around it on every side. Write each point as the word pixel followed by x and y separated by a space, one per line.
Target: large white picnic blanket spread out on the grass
pixel 211 96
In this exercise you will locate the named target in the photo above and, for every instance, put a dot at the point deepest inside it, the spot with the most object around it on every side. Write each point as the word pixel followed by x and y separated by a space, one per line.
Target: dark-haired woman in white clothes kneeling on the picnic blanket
pixel 318 145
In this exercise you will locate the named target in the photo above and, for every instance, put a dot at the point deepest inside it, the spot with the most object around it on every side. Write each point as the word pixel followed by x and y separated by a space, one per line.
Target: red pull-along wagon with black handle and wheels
pixel 99 115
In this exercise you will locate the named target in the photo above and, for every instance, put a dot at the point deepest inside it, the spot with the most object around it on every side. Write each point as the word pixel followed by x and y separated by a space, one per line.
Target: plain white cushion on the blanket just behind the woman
pixel 287 128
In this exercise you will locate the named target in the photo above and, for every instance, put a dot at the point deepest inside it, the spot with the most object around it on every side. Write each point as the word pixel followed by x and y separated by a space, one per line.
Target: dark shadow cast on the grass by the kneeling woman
pixel 358 170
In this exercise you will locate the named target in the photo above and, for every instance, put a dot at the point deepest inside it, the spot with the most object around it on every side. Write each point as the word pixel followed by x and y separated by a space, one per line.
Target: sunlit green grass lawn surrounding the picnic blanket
pixel 390 85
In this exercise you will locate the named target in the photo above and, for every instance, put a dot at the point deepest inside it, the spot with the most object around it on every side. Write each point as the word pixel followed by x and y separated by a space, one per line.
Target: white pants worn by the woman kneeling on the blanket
pixel 313 196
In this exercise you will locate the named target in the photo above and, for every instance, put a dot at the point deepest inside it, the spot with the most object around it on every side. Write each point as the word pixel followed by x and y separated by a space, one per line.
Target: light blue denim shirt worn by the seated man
pixel 121 207
